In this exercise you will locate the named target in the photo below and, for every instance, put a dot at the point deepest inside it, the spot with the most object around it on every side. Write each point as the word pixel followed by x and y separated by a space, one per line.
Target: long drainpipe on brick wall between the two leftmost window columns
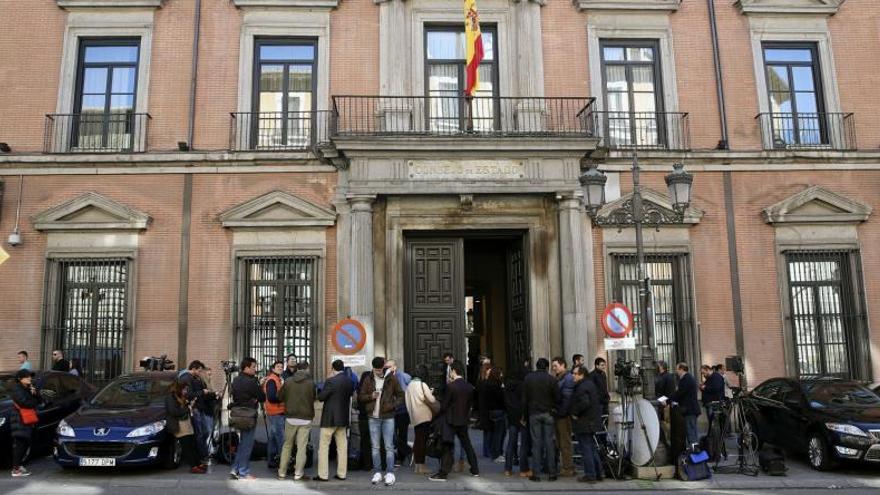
pixel 186 213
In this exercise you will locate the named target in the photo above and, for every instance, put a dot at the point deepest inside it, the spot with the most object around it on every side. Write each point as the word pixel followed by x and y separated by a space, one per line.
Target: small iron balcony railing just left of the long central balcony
pixel 279 131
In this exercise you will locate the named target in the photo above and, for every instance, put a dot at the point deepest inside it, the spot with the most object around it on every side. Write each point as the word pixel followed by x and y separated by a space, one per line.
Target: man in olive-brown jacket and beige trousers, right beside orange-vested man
pixel 298 396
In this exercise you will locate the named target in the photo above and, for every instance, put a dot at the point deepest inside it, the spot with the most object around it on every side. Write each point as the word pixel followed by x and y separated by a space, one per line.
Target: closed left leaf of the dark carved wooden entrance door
pixel 434 277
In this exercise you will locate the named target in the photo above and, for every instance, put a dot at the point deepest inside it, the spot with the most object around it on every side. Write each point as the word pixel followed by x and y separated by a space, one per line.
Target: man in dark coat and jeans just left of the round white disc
pixel 586 417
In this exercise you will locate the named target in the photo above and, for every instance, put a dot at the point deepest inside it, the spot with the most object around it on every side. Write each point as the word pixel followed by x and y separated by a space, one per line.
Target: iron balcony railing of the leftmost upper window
pixel 113 132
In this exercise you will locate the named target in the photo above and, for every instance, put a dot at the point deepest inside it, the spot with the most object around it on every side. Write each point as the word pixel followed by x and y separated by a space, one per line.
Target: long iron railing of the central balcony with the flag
pixel 457 116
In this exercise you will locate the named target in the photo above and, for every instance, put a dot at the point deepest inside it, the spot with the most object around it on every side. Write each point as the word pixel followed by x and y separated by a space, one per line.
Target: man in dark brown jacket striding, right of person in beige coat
pixel 455 414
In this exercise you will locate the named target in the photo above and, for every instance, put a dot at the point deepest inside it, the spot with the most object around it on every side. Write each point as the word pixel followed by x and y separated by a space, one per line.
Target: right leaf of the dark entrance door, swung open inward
pixel 519 346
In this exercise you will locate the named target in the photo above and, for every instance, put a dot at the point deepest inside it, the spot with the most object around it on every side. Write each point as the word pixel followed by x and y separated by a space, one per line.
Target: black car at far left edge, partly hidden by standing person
pixel 62 394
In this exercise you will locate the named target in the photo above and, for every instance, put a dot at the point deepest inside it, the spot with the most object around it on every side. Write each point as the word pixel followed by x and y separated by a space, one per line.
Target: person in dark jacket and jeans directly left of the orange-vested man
pixel 246 398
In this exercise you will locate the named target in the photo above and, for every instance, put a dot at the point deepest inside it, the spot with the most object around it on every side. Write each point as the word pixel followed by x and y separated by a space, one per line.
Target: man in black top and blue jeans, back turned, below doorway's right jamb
pixel 541 396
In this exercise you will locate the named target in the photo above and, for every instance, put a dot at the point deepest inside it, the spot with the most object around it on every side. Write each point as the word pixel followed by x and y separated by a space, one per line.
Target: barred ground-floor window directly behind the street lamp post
pixel 671 288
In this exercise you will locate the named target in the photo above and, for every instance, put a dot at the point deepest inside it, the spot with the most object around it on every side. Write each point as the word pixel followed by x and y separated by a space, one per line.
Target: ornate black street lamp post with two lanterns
pixel 634 213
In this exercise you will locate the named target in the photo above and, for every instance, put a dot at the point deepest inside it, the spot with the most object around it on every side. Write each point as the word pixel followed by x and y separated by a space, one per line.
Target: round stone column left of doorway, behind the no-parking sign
pixel 360 265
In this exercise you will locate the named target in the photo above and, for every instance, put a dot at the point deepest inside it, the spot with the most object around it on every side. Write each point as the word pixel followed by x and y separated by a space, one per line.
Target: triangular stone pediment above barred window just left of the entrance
pixel 278 209
